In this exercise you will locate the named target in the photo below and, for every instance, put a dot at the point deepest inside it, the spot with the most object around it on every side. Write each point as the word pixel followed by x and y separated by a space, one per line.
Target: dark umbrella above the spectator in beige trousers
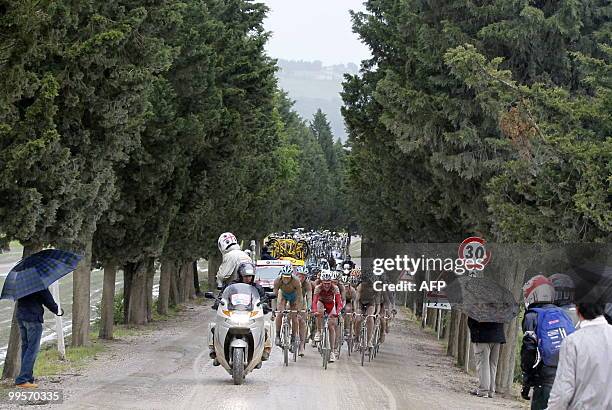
pixel 482 299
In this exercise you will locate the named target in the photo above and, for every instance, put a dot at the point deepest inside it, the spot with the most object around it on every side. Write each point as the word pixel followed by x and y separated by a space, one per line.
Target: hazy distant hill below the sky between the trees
pixel 313 85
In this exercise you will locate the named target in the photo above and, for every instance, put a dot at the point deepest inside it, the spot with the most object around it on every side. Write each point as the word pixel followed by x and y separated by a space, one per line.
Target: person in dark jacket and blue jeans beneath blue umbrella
pixel 30 319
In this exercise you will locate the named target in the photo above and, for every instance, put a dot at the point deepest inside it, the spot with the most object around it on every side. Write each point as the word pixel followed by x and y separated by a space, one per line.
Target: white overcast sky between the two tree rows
pixel 314 30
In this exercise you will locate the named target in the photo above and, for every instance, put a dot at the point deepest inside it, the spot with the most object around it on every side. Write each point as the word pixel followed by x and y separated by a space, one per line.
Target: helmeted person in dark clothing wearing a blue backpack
pixel 545 326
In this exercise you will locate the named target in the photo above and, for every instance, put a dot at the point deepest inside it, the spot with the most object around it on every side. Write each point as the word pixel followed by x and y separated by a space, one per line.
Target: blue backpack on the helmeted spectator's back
pixel 553 325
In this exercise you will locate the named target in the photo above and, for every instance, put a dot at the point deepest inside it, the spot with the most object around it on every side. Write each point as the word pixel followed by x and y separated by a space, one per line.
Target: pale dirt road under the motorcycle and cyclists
pixel 169 369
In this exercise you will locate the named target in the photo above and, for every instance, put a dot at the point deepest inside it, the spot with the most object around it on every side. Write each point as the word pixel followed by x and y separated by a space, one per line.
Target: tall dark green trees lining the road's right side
pixel 482 118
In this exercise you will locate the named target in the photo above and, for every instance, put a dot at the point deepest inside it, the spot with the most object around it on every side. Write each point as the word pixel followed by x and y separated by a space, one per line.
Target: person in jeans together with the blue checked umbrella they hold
pixel 28 283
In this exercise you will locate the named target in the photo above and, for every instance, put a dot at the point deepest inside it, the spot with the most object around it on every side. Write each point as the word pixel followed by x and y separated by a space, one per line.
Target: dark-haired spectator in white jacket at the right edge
pixel 585 364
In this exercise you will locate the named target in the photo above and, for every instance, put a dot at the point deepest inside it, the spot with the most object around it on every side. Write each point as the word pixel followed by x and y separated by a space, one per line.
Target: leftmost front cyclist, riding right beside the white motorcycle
pixel 287 289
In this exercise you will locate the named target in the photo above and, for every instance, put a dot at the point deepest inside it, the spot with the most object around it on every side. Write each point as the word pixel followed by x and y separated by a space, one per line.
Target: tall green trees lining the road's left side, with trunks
pixel 135 132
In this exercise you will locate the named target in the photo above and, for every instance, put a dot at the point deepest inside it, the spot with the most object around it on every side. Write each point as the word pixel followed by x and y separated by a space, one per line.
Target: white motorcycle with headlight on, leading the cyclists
pixel 240 330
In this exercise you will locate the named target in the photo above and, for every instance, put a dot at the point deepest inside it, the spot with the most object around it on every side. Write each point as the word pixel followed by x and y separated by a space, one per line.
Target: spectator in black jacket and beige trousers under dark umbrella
pixel 487 338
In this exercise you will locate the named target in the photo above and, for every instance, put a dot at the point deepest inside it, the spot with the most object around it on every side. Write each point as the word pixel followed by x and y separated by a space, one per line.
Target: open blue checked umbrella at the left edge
pixel 37 272
